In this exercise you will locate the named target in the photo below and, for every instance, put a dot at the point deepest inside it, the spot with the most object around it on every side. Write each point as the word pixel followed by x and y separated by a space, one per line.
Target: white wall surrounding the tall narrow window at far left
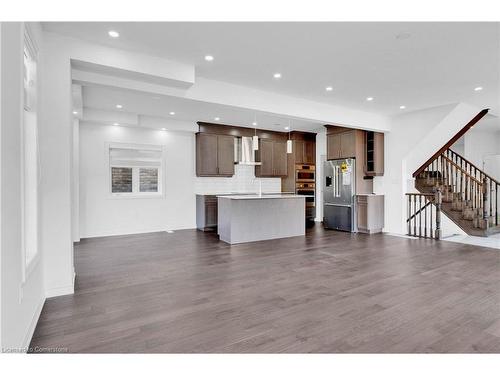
pixel 21 301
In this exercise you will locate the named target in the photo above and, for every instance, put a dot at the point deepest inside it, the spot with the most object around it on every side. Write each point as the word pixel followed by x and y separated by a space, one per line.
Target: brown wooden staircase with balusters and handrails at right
pixel 450 184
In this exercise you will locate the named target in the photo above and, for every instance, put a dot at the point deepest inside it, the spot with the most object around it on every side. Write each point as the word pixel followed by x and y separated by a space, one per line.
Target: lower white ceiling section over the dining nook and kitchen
pixel 160 106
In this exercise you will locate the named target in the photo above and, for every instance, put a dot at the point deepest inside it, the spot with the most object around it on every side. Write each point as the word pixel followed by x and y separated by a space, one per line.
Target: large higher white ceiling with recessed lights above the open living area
pixel 439 63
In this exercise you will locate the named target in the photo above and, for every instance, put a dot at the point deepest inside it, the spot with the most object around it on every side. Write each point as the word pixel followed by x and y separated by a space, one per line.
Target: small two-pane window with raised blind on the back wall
pixel 135 170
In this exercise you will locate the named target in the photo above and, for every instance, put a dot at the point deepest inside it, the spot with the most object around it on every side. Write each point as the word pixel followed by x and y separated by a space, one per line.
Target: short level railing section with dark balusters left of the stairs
pixel 424 215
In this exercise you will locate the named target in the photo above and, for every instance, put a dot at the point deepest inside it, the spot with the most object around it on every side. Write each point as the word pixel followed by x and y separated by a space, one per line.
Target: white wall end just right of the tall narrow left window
pixel 56 140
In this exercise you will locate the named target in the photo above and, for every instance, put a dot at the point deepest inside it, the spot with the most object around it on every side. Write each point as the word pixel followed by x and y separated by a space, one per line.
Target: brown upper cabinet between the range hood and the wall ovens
pixel 272 154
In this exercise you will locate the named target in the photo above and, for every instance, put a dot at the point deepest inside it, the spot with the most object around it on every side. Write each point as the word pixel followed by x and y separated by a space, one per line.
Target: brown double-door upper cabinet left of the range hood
pixel 214 155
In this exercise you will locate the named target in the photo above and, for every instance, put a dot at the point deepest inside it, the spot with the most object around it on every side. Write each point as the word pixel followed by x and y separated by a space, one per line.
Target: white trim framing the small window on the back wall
pixel 136 195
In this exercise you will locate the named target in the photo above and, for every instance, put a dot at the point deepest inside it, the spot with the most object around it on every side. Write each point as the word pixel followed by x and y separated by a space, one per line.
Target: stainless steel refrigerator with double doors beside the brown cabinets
pixel 339 209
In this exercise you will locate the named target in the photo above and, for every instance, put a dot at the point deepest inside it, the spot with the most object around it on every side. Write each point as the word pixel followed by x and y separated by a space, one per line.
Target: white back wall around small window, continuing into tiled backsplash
pixel 103 215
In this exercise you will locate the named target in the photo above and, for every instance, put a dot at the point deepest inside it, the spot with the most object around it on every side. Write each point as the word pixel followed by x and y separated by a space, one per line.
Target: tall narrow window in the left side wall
pixel 30 154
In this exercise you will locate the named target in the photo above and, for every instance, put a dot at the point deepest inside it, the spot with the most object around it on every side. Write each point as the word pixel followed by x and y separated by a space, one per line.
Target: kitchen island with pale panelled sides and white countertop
pixel 247 218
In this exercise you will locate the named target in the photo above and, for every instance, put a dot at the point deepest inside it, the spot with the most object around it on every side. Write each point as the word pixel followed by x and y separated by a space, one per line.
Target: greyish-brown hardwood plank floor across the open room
pixel 326 292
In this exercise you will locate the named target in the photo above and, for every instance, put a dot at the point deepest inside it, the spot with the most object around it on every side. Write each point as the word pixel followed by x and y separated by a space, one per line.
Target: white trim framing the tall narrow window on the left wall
pixel 27 266
